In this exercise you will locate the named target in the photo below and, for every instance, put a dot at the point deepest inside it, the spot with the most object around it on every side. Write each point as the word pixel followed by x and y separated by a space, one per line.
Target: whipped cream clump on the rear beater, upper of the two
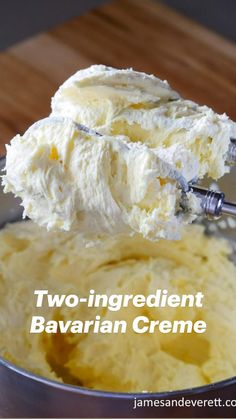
pixel 146 109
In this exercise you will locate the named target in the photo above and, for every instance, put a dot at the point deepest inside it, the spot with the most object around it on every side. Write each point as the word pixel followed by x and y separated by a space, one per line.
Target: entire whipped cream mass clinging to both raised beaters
pixel 128 180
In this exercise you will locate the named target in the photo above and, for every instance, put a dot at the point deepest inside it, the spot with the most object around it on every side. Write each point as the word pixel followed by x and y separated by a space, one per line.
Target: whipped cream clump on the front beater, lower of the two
pixel 98 186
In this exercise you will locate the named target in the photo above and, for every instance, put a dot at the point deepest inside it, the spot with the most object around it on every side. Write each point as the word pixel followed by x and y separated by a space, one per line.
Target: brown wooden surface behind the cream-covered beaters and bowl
pixel 123 33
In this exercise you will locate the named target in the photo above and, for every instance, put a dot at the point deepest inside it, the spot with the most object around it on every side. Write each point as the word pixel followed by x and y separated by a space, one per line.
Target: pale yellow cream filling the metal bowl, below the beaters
pixel 31 258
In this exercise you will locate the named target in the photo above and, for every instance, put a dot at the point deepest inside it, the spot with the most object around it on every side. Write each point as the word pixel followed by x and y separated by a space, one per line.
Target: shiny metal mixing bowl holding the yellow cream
pixel 23 394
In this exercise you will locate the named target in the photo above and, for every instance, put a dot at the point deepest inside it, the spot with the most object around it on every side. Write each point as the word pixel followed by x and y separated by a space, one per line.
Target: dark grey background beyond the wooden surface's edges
pixel 20 19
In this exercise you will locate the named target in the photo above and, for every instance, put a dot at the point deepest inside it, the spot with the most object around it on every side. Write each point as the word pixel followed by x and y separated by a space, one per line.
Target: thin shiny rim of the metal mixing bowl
pixel 110 394
